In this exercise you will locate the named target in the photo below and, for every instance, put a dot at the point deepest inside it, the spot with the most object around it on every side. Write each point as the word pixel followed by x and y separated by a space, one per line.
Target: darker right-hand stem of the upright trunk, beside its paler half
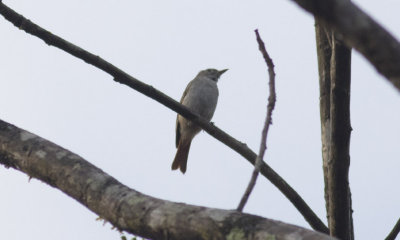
pixel 340 224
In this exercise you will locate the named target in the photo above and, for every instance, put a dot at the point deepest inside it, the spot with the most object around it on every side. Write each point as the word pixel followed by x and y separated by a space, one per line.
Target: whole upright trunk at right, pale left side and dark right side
pixel 334 60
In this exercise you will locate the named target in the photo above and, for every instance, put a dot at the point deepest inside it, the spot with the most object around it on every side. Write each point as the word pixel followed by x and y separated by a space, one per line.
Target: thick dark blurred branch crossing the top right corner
pixel 361 32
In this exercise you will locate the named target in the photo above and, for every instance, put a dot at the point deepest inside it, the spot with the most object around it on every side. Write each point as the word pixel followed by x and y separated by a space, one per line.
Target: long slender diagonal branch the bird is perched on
pixel 120 76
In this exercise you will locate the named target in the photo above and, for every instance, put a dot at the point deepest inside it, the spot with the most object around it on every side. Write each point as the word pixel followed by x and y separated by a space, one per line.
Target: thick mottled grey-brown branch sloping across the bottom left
pixel 126 208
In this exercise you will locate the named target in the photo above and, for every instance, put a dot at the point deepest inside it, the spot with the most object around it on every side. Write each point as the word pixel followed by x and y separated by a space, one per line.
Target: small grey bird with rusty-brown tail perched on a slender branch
pixel 201 97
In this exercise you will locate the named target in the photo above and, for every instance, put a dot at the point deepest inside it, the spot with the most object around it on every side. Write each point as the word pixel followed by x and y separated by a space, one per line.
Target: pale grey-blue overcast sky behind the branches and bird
pixel 165 44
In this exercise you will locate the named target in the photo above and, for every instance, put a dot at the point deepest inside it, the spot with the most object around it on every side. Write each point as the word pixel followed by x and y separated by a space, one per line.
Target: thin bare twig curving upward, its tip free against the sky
pixel 268 121
